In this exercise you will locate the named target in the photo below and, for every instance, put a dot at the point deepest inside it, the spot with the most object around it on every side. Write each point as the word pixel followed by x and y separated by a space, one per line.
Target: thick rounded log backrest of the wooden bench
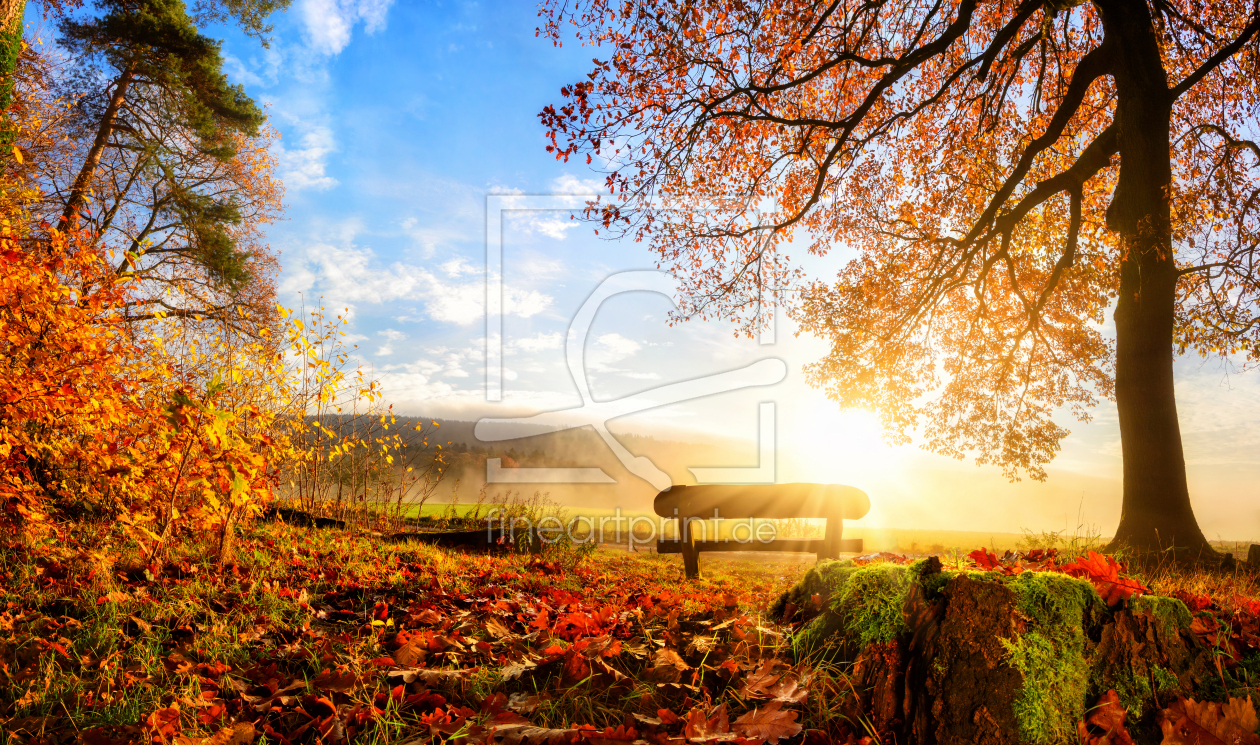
pixel 765 501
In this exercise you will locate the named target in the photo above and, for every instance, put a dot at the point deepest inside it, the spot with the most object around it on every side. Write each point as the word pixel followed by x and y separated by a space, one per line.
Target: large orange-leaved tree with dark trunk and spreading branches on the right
pixel 1005 173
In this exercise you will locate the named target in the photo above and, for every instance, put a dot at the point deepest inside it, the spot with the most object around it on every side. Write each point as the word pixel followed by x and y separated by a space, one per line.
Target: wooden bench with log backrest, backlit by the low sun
pixel 694 505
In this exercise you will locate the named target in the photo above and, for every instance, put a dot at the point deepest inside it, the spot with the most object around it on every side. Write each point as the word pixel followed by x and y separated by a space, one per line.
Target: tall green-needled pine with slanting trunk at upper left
pixel 169 163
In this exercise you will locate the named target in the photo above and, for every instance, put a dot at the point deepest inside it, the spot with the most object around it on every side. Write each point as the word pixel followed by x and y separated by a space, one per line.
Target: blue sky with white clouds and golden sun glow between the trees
pixel 399 120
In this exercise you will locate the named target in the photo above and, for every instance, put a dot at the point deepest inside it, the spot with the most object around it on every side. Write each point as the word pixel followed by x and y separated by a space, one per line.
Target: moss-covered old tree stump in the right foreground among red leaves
pixel 975 657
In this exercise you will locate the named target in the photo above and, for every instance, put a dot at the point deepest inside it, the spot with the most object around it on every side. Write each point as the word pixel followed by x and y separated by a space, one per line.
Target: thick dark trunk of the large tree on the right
pixel 1156 512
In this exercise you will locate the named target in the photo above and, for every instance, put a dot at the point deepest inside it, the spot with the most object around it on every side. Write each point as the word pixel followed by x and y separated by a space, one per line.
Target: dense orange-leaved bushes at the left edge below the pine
pixel 95 424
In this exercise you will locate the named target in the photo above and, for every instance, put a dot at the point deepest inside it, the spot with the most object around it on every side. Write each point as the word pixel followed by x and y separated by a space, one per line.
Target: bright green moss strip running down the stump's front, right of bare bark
pixel 1051 655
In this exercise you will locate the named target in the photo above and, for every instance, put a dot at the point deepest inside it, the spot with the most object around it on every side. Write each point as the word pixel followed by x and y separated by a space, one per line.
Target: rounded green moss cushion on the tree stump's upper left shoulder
pixel 870 603
